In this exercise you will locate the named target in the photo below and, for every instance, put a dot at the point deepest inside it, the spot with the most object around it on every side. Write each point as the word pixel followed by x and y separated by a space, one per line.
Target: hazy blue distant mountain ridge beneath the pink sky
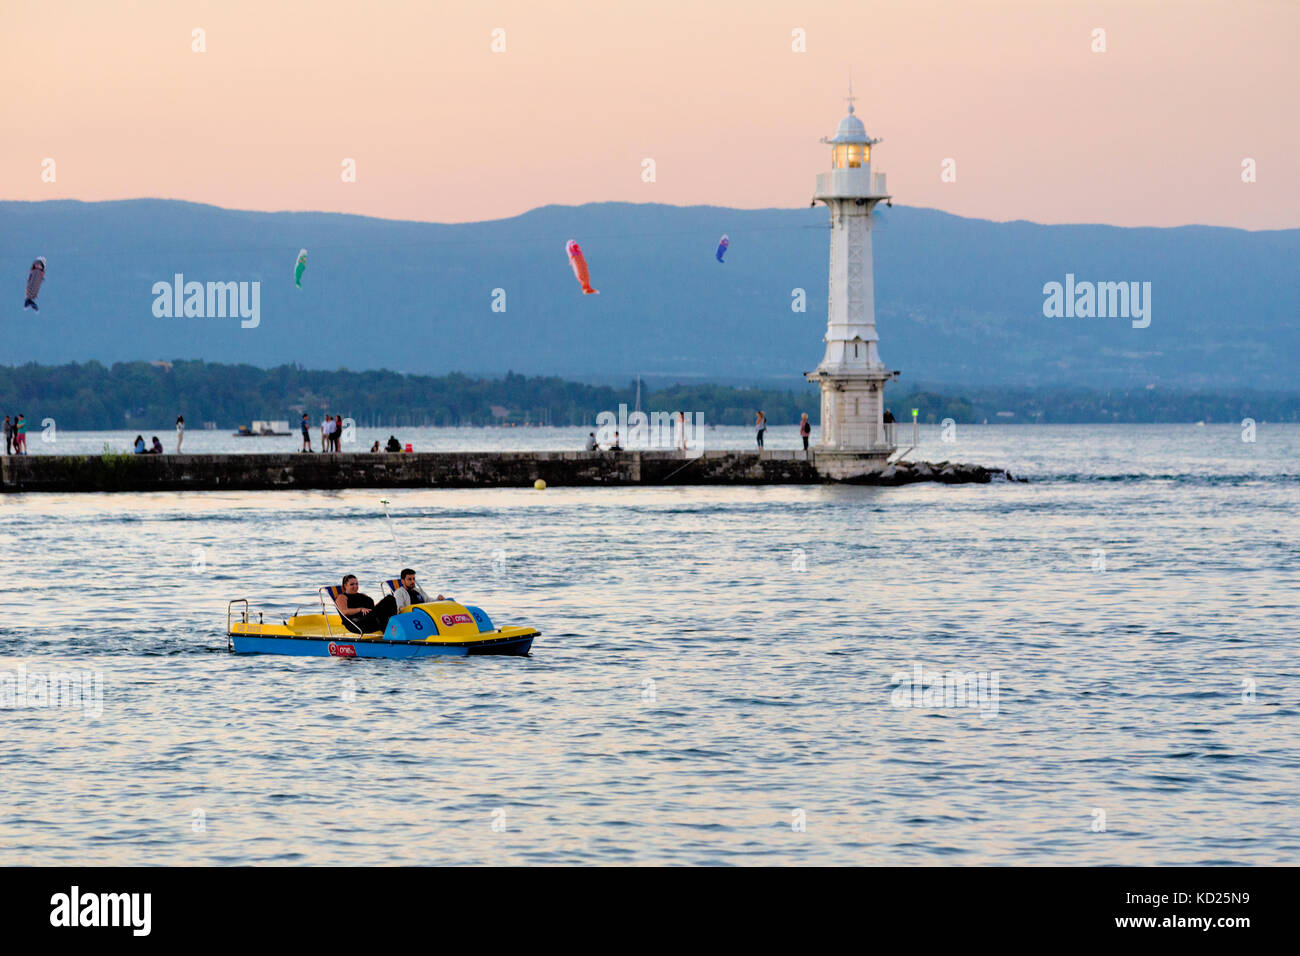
pixel 959 300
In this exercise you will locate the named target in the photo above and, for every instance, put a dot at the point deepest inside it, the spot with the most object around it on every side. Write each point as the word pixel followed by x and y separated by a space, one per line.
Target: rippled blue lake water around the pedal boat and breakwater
pixel 721 674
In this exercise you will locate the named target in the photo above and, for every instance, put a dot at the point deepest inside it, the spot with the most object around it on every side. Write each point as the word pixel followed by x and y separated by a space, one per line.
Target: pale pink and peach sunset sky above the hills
pixel 1152 132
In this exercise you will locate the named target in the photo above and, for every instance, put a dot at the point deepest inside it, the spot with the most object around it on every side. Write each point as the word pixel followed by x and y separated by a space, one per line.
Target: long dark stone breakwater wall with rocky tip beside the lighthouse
pixel 441 470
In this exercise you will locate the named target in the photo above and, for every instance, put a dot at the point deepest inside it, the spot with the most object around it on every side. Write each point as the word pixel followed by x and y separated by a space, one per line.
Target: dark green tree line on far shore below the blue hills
pixel 150 395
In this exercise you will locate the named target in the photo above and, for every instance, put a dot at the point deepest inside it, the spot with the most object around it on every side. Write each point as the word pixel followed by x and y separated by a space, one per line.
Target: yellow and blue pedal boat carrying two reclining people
pixel 439 629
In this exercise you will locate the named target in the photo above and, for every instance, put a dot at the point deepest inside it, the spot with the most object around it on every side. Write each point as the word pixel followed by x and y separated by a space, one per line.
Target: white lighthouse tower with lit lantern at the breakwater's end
pixel 855 439
